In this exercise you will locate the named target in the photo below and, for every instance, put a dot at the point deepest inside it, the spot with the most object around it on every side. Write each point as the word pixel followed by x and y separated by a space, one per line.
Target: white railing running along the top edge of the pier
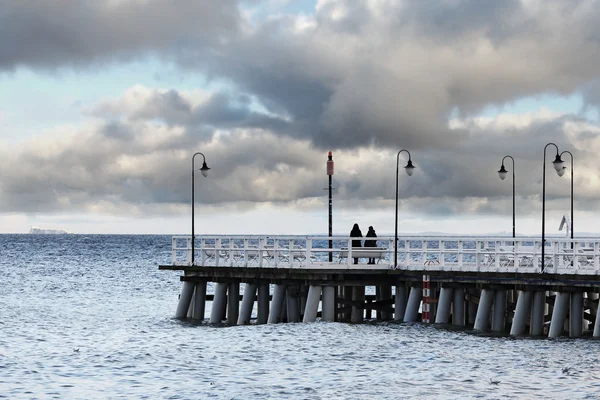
pixel 423 253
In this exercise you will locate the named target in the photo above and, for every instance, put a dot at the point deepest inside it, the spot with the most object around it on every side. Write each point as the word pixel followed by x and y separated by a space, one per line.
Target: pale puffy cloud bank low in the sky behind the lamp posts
pixel 139 163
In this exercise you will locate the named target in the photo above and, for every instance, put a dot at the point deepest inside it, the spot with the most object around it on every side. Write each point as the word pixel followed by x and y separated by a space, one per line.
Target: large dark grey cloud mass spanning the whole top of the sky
pixel 358 73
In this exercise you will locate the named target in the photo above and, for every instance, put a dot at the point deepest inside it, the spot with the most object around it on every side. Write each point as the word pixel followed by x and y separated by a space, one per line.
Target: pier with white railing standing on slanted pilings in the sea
pixel 488 284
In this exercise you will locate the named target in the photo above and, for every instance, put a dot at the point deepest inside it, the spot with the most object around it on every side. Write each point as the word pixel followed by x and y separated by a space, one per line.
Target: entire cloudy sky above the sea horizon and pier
pixel 104 102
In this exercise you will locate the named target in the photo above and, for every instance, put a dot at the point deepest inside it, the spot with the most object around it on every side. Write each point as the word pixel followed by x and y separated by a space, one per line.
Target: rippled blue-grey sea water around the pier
pixel 90 317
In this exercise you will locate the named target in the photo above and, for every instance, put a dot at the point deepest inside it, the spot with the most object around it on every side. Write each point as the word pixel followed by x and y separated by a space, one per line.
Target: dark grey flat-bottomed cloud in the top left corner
pixel 59 33
